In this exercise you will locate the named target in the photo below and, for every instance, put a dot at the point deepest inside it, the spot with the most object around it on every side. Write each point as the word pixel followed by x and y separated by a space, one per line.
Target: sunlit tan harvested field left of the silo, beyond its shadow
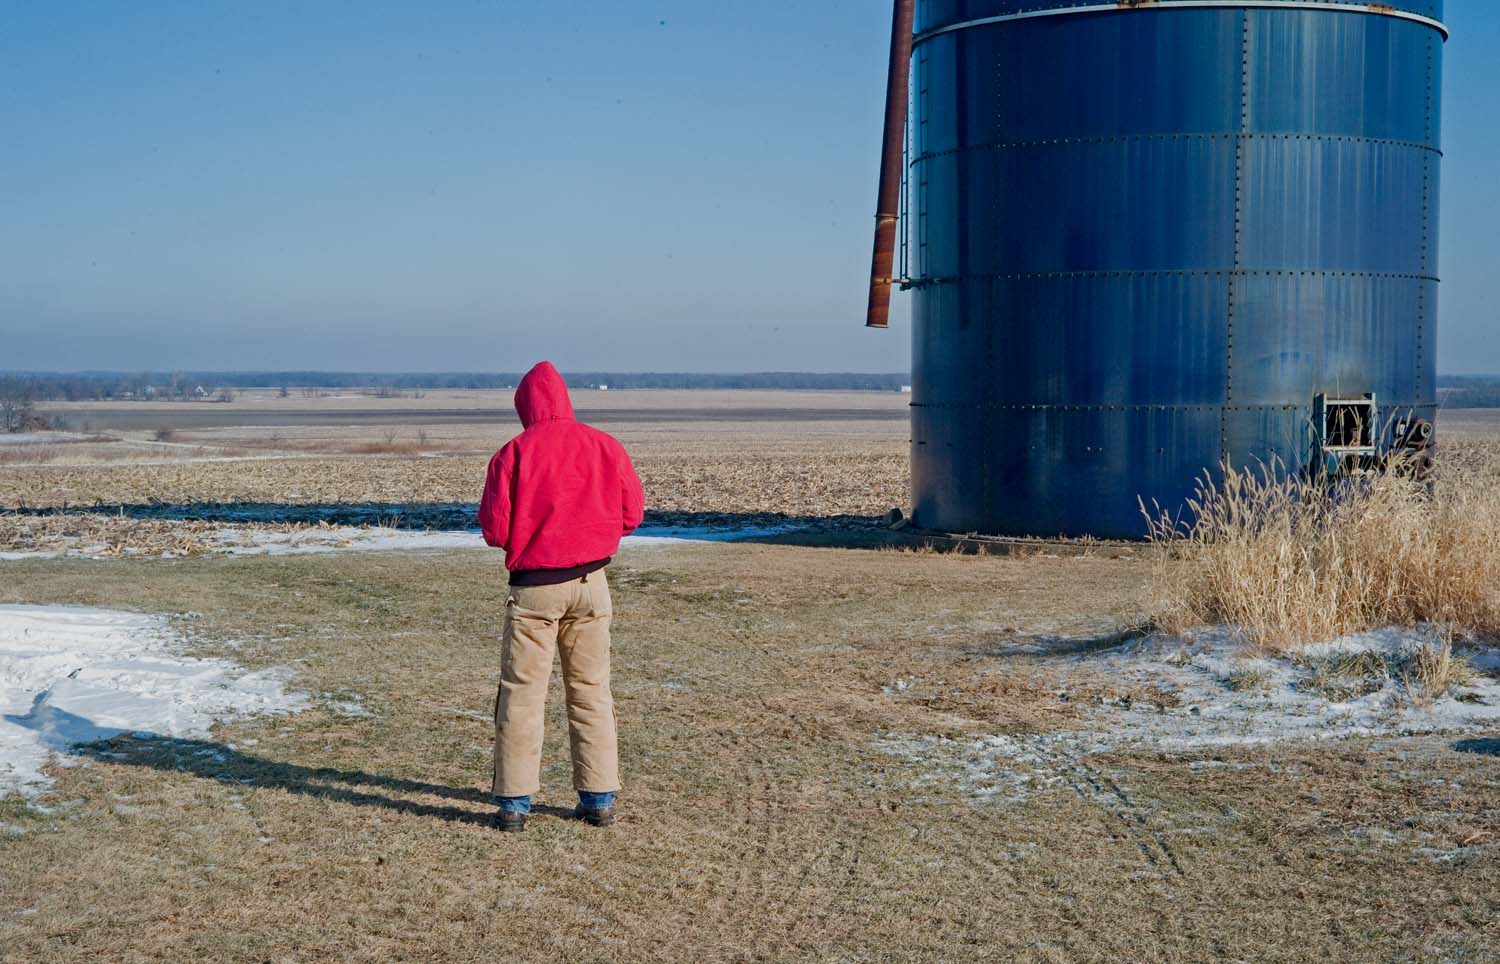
pixel 790 461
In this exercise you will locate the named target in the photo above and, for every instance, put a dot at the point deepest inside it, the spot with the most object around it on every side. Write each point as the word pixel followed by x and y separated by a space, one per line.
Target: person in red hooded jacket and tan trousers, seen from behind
pixel 557 500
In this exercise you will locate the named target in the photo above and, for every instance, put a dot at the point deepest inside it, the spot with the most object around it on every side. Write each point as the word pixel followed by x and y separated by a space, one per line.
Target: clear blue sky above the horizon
pixel 659 185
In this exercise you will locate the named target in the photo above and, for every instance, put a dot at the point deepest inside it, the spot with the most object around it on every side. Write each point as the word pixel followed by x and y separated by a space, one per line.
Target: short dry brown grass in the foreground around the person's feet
pixel 761 822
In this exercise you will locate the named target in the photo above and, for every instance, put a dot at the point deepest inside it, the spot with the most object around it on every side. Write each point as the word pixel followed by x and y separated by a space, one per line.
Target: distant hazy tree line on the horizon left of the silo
pixel 220 386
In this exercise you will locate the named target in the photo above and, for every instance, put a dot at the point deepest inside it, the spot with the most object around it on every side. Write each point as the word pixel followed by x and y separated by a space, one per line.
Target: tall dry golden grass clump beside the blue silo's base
pixel 1286 560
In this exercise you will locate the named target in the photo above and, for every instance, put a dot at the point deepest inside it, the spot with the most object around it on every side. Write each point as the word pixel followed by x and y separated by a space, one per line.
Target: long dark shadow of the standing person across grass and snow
pixel 224 764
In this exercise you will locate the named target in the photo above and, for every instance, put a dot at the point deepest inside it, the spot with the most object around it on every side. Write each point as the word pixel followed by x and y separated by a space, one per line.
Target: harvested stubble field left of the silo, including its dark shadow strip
pixel 764 460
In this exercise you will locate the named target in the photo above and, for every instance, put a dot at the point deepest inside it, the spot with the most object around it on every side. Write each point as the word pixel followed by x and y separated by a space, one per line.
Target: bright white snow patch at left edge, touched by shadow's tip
pixel 76 675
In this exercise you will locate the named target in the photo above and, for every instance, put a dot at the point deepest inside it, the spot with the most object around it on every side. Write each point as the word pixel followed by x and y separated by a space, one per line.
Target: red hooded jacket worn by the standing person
pixel 560 494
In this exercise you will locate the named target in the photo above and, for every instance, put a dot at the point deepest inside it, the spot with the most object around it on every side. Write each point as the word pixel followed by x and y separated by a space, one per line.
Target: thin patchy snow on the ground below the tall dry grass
pixel 1216 696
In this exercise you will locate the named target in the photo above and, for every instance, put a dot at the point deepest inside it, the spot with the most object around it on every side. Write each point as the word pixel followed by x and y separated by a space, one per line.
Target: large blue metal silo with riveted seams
pixel 1144 241
